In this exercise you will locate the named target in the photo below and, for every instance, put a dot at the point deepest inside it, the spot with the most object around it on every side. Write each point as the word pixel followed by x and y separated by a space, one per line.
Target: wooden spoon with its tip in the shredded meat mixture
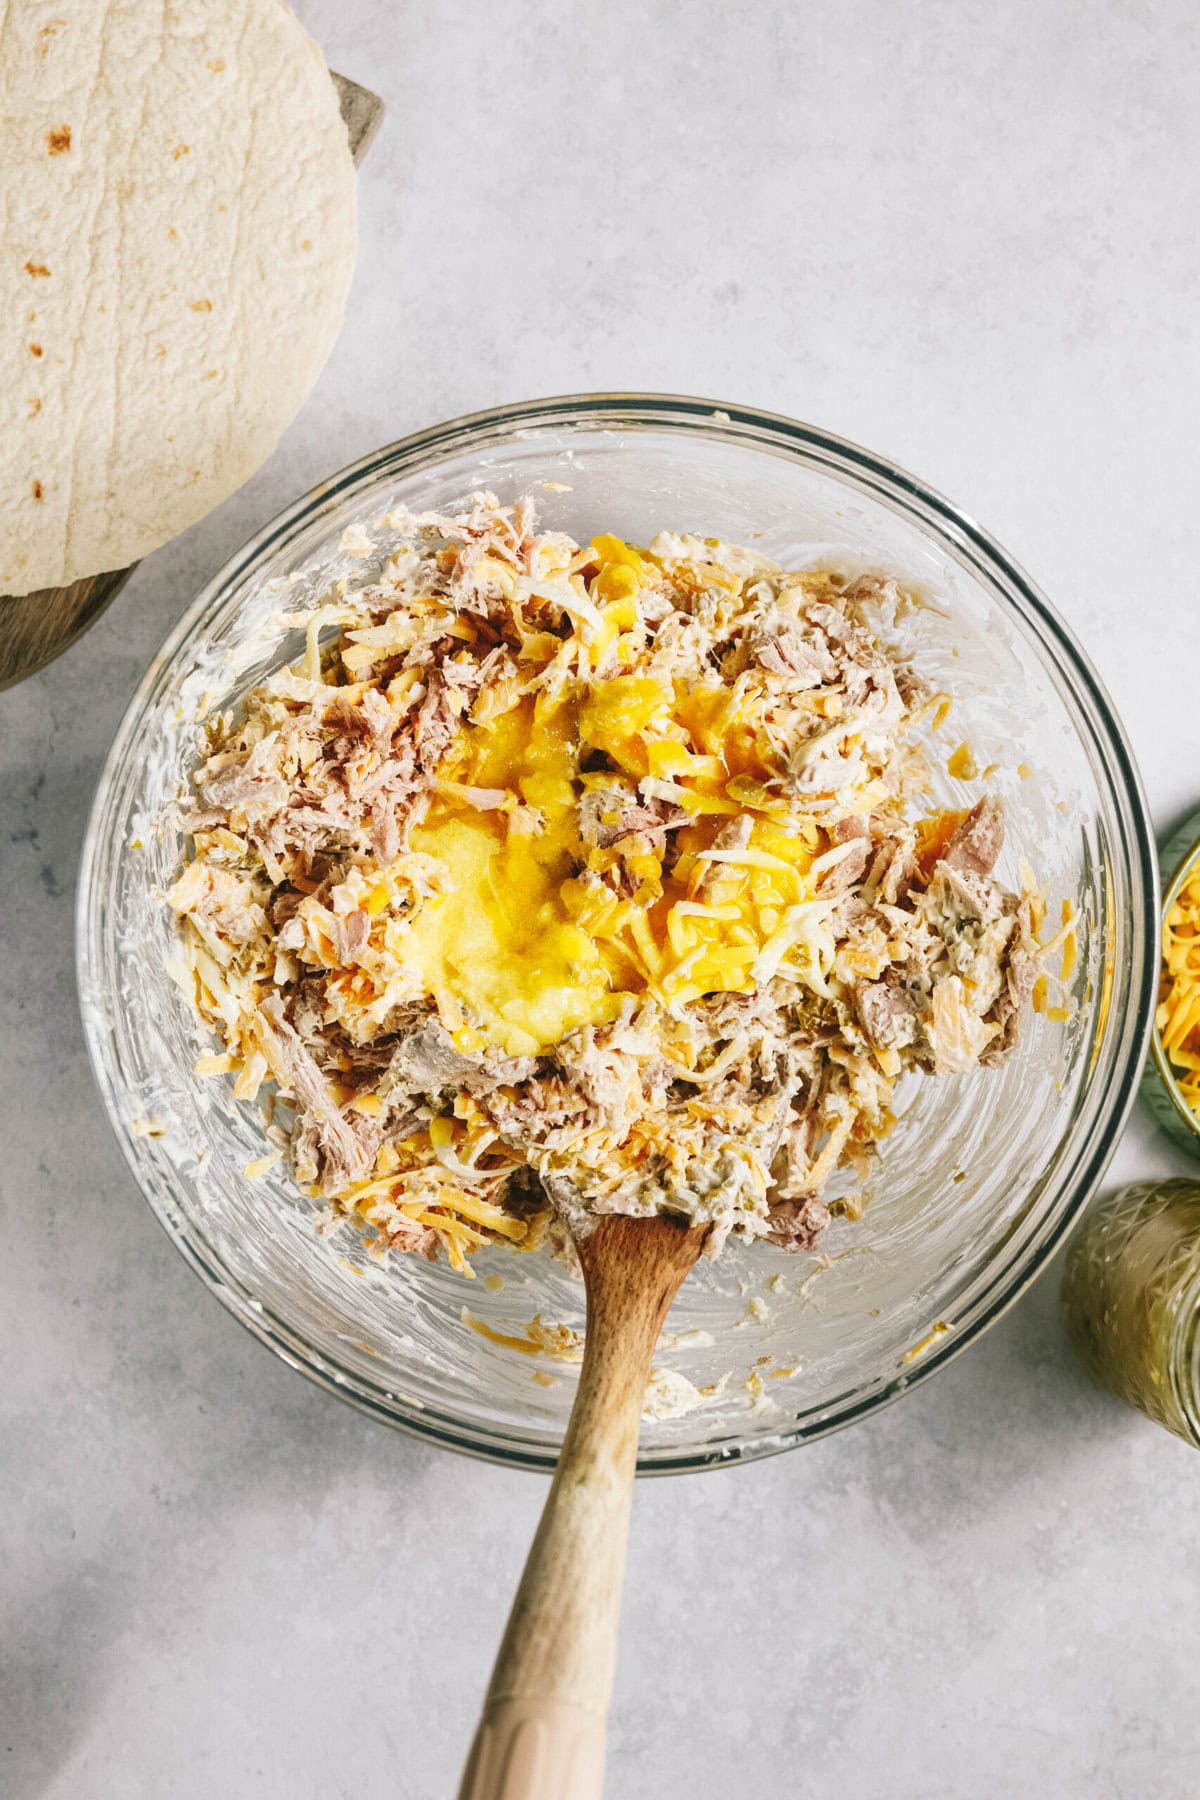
pixel 542 1732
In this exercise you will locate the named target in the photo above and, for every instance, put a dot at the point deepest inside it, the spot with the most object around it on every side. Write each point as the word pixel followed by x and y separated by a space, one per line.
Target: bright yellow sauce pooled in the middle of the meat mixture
pixel 519 951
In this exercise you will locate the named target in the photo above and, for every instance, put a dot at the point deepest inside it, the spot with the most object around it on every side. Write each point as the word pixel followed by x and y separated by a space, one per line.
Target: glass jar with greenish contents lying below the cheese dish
pixel 1133 1300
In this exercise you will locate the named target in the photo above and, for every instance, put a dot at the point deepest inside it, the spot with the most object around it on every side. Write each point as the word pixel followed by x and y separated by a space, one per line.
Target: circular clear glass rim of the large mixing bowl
pixel 744 426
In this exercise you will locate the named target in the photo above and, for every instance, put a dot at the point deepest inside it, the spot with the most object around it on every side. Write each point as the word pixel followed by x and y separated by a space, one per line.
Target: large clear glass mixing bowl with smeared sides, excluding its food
pixel 981 1176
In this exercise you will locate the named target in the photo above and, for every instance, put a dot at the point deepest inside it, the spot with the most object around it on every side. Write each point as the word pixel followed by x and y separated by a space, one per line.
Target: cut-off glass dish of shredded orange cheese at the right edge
pixel 1172 1081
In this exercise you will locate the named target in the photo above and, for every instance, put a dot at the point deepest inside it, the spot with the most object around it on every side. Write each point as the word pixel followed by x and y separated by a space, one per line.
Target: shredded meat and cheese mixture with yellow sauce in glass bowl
pixel 577 879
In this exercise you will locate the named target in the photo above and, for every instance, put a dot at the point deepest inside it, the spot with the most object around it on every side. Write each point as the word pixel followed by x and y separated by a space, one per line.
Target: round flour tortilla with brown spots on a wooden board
pixel 179 240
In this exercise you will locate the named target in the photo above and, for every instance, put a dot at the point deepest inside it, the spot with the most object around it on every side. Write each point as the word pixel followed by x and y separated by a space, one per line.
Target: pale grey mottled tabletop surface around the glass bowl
pixel 963 235
